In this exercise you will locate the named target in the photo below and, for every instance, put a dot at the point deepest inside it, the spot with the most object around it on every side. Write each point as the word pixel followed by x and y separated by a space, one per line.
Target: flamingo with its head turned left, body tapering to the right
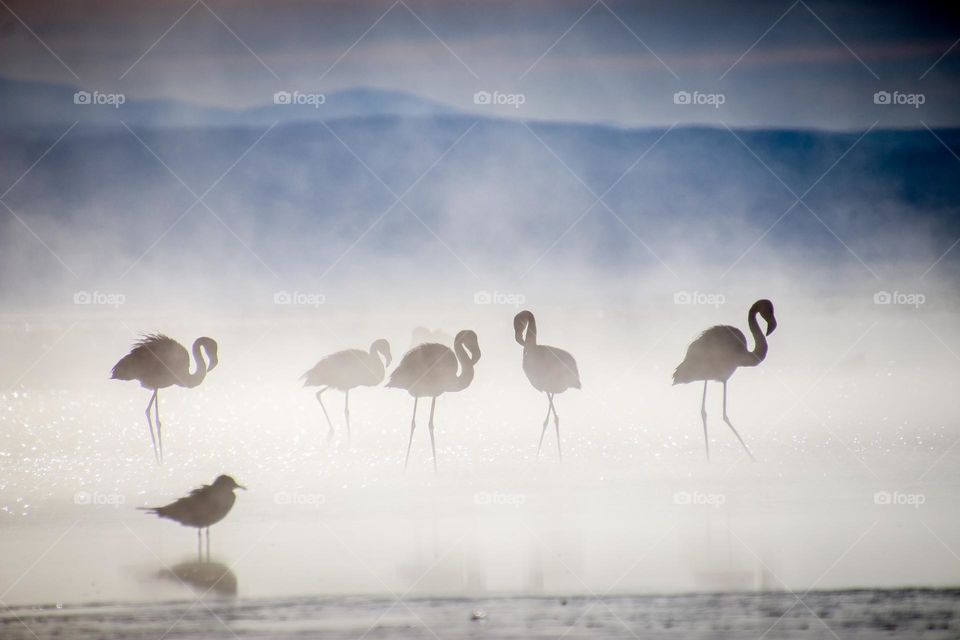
pixel 548 369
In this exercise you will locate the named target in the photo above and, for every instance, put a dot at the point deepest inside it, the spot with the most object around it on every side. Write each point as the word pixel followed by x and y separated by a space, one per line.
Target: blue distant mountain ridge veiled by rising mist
pixel 498 194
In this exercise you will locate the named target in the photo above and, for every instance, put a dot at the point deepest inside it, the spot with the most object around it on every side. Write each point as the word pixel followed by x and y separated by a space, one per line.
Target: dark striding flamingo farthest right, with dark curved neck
pixel 717 353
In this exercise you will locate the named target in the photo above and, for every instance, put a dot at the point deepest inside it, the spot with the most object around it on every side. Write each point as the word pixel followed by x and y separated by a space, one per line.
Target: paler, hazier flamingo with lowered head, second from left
pixel 348 369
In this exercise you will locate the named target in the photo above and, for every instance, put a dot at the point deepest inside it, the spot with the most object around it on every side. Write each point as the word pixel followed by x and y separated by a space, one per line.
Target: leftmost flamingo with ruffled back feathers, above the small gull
pixel 157 362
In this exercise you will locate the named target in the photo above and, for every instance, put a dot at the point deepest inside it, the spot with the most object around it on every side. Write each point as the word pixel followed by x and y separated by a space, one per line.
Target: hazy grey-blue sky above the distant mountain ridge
pixel 782 63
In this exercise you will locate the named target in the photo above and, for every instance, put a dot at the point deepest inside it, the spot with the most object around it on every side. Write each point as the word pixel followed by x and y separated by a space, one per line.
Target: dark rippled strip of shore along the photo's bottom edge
pixel 849 614
